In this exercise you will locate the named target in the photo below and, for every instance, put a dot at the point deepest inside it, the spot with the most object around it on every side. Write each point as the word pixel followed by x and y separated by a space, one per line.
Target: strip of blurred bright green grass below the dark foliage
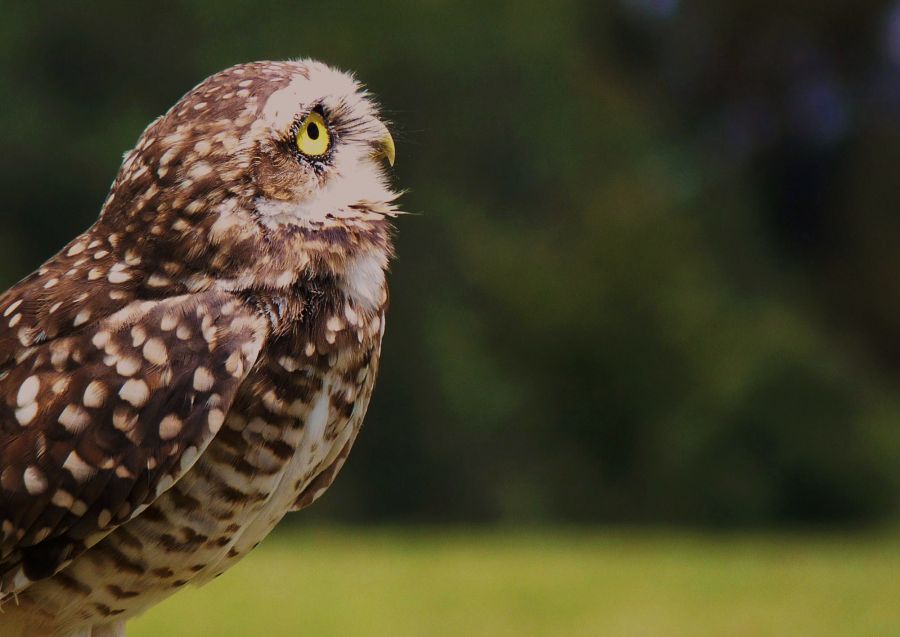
pixel 367 583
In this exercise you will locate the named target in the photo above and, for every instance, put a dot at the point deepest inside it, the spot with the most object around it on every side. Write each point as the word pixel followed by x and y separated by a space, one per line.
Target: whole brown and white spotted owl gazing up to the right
pixel 198 362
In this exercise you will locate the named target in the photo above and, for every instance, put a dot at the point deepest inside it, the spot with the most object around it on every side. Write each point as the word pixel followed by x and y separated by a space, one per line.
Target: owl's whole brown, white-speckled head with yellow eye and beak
pixel 262 169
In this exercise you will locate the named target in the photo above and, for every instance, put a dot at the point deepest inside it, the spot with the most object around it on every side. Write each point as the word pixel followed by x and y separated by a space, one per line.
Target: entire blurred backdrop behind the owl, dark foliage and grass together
pixel 651 288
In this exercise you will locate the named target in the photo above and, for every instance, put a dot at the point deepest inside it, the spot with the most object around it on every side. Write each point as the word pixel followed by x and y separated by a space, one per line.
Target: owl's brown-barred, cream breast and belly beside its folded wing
pixel 287 435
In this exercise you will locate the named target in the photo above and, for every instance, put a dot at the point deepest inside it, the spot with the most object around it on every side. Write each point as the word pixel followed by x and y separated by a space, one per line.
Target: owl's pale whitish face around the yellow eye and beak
pixel 320 150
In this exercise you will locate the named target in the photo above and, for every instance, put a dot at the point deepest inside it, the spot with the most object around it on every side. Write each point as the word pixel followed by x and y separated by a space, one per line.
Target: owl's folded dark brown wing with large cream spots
pixel 97 423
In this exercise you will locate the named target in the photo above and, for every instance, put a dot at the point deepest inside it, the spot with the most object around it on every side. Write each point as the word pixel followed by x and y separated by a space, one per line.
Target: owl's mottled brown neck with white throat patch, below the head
pixel 230 248
